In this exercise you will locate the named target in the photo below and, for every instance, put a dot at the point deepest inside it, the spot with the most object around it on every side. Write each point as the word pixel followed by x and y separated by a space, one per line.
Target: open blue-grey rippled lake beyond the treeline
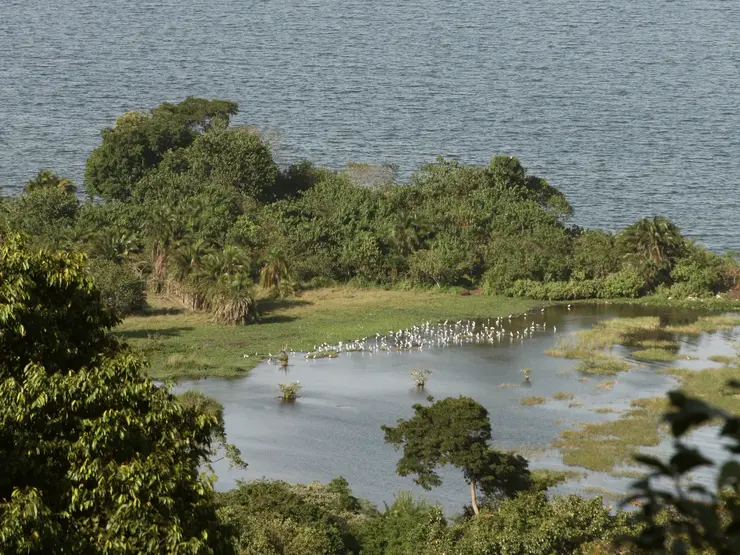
pixel 631 108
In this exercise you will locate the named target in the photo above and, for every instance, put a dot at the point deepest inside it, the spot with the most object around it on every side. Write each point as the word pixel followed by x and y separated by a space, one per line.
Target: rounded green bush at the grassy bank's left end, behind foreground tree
pixel 121 289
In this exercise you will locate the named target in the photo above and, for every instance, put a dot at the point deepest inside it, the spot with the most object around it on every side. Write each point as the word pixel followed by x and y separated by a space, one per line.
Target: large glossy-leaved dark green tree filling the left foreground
pixel 94 457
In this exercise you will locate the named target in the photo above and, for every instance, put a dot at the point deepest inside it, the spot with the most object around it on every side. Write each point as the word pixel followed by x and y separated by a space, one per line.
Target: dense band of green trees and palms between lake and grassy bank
pixel 191 206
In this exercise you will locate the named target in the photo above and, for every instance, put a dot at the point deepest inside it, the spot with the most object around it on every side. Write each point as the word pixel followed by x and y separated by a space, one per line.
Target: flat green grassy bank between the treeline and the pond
pixel 183 344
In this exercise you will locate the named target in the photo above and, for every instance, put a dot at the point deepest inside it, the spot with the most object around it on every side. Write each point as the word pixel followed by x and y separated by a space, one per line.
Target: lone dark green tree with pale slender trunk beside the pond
pixel 454 431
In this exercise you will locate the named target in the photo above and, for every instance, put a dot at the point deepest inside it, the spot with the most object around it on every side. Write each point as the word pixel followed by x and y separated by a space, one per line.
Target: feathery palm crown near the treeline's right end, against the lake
pixel 656 240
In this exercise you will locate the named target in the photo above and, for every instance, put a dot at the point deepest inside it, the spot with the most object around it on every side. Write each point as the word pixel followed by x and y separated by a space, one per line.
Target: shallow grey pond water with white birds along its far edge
pixel 333 429
